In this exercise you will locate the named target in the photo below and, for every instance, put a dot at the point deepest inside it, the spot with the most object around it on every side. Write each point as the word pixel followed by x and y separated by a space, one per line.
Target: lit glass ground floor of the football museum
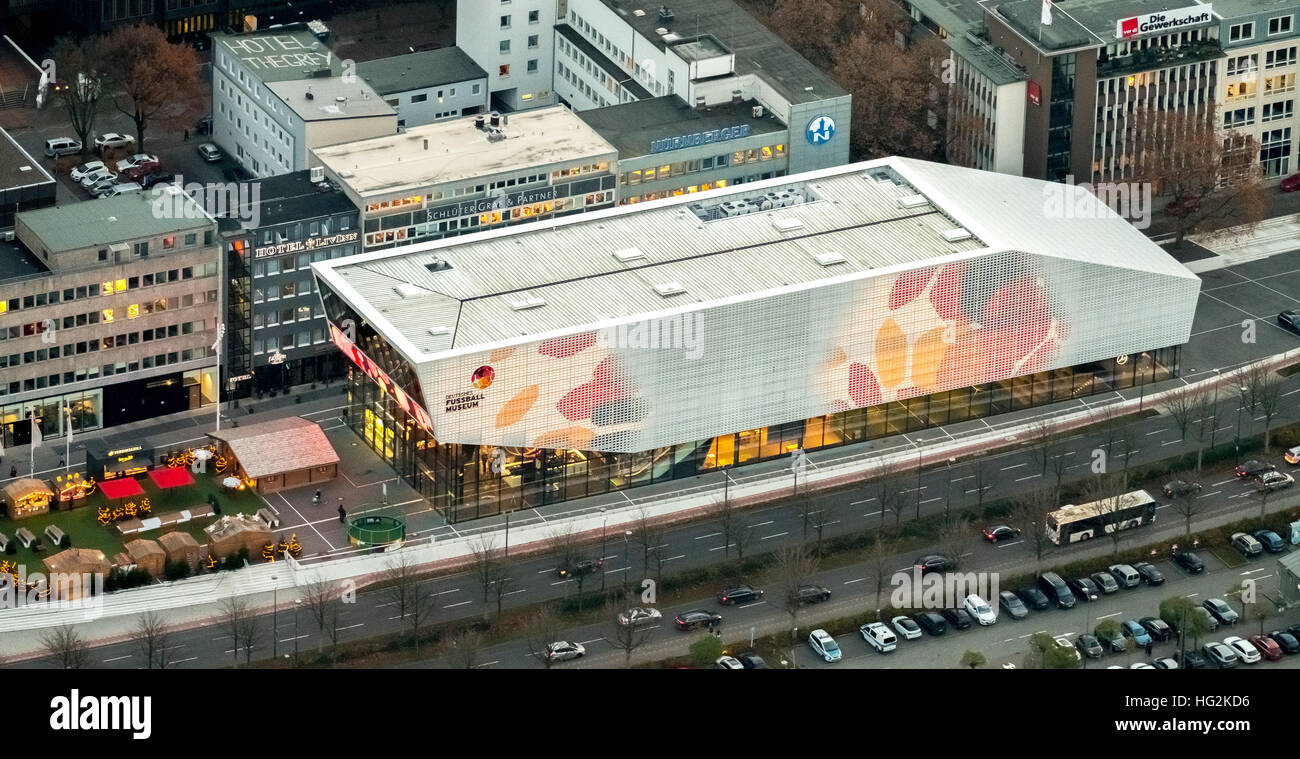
pixel 462 483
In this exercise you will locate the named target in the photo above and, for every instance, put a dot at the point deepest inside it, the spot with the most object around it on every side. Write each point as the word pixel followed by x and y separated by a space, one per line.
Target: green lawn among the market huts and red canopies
pixel 84 528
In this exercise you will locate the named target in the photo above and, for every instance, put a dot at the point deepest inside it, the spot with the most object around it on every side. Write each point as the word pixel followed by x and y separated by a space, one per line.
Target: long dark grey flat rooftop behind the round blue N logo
pixel 759 50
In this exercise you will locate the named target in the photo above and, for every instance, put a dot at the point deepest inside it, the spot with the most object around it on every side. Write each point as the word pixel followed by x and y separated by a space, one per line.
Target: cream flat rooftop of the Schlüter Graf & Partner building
pixel 454 151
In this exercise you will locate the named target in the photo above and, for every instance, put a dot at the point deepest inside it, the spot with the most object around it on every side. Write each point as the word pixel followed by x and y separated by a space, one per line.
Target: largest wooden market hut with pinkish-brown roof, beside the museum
pixel 279 456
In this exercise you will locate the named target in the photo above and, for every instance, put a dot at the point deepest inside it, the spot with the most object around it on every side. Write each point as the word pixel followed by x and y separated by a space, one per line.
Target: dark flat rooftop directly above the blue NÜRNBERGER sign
pixel 632 127
